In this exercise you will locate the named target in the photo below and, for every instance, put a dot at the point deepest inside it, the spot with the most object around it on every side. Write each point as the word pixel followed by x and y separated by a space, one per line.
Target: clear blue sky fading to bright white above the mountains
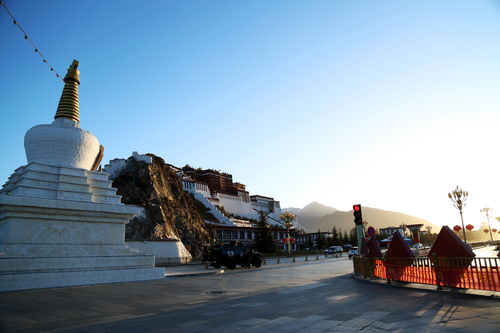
pixel 390 104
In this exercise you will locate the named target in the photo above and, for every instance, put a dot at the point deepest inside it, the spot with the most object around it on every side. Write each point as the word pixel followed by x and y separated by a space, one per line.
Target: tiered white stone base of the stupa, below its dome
pixel 57 233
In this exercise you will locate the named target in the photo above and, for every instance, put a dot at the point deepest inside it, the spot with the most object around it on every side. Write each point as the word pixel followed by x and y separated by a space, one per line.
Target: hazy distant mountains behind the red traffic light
pixel 316 216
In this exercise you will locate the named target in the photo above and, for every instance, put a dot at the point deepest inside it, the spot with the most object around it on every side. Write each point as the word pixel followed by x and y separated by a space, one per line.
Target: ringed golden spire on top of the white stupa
pixel 68 104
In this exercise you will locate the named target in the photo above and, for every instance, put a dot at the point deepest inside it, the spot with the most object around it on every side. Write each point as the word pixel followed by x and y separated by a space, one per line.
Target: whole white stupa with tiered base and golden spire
pixel 61 222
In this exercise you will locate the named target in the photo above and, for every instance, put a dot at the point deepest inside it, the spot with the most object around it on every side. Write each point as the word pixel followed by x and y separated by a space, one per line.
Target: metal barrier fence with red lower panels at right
pixel 471 273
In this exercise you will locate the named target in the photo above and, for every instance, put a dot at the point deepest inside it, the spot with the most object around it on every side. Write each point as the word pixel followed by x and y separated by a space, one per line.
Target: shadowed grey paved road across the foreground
pixel 317 296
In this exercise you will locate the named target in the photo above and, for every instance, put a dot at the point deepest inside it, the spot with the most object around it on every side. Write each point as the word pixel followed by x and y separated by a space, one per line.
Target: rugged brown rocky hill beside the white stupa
pixel 170 212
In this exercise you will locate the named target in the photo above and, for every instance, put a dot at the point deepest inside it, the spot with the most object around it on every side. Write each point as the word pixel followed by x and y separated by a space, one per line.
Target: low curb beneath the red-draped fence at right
pixel 431 288
